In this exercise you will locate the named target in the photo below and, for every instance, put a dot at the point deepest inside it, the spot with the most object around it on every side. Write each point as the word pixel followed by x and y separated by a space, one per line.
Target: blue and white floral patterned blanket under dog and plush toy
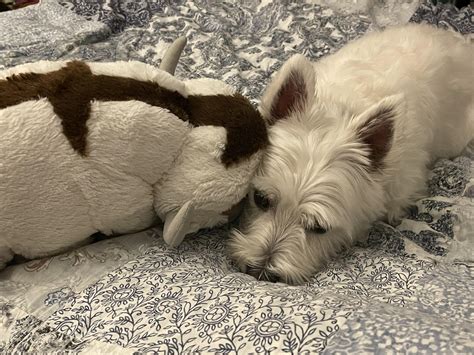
pixel 407 289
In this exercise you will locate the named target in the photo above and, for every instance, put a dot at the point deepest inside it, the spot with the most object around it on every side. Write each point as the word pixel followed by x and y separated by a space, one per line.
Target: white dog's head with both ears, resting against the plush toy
pixel 318 186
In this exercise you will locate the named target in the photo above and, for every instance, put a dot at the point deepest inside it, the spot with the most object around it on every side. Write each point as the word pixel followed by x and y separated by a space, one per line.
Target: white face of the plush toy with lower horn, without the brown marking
pixel 200 191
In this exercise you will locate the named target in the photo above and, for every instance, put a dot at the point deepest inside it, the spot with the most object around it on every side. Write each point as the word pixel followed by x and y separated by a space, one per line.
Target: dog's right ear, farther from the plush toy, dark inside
pixel 376 127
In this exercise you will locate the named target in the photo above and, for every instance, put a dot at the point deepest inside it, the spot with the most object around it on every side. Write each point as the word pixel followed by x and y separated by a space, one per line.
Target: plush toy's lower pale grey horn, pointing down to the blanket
pixel 177 225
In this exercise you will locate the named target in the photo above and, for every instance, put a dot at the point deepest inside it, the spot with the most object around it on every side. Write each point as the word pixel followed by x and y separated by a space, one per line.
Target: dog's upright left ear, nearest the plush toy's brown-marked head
pixel 291 90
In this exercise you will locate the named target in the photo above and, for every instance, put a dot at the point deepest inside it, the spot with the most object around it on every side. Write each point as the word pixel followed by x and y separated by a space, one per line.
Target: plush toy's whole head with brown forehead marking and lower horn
pixel 220 155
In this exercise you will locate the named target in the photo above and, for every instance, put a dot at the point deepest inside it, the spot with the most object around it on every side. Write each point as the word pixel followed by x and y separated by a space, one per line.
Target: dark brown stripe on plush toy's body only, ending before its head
pixel 71 90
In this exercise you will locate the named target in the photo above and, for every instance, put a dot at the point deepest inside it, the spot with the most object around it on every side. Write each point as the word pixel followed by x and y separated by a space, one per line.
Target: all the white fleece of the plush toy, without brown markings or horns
pixel 52 198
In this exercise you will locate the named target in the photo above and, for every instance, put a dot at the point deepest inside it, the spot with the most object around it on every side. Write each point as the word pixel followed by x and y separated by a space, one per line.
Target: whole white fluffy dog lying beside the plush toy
pixel 351 138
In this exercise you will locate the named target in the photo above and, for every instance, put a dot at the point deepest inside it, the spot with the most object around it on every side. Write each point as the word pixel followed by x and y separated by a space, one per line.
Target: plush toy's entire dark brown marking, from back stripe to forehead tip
pixel 71 90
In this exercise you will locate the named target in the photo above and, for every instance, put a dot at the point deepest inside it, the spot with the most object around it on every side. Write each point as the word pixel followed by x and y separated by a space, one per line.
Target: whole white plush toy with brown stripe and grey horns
pixel 108 147
